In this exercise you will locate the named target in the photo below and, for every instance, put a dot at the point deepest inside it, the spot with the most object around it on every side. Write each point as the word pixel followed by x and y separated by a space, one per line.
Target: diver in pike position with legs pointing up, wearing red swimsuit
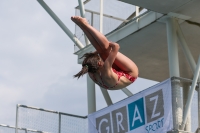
pixel 106 66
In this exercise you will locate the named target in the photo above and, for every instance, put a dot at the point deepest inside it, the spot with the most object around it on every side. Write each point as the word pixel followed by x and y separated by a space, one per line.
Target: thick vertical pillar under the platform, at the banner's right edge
pixel 177 107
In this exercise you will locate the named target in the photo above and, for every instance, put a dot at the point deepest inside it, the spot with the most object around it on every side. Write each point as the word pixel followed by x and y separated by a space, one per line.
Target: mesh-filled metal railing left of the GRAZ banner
pixel 49 121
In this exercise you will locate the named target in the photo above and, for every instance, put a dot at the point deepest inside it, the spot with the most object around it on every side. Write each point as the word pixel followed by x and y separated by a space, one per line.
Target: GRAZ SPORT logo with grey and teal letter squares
pixel 145 110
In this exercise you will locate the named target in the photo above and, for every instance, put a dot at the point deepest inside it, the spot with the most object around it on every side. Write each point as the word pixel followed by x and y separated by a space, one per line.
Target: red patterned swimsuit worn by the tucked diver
pixel 119 74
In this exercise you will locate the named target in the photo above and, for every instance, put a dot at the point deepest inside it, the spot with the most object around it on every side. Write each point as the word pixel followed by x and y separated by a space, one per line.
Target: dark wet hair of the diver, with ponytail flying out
pixel 89 64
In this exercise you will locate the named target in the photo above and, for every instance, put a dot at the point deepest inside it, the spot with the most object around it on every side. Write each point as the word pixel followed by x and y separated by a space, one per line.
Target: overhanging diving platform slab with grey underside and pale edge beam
pixel 144 39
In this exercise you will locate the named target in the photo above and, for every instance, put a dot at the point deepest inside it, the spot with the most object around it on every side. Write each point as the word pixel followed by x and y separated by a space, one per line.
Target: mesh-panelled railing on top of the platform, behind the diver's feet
pixel 112 17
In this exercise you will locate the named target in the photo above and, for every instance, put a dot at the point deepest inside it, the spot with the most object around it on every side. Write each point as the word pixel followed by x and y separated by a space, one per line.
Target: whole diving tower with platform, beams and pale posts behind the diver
pixel 163 42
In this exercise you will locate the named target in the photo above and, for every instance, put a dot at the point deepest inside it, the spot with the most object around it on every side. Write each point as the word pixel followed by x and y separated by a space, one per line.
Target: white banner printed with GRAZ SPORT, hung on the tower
pixel 149 111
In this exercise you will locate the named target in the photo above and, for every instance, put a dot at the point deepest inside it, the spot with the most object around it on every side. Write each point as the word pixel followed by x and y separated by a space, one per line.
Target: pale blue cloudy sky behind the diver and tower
pixel 37 63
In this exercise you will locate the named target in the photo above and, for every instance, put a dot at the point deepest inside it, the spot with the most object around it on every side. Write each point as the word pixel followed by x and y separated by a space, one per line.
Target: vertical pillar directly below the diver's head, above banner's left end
pixel 91 95
